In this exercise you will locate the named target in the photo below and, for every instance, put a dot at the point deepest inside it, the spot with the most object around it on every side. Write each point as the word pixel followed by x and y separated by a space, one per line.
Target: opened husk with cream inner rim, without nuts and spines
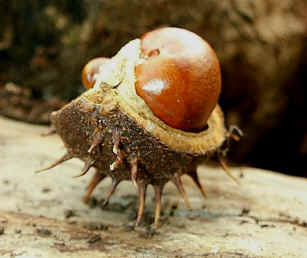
pixel 113 107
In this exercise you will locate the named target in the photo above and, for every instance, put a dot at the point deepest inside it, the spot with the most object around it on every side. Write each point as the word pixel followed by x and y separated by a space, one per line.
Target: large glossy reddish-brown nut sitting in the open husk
pixel 179 77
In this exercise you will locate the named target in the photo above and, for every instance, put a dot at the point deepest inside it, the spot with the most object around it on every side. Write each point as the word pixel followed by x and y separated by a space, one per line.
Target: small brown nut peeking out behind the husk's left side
pixel 90 69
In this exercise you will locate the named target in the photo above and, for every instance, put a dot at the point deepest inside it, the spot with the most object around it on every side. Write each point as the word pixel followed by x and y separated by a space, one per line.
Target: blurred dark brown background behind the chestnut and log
pixel 261 45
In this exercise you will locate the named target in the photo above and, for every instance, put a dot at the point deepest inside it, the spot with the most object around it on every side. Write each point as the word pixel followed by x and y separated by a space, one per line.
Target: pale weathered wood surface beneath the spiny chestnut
pixel 42 215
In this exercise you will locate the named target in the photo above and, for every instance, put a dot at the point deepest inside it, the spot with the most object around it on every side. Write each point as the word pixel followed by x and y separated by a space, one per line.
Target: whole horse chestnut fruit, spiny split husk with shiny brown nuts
pixel 150 115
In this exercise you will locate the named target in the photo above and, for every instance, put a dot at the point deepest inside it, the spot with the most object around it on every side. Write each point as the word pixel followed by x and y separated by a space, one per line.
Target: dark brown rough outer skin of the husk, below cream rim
pixel 81 121
